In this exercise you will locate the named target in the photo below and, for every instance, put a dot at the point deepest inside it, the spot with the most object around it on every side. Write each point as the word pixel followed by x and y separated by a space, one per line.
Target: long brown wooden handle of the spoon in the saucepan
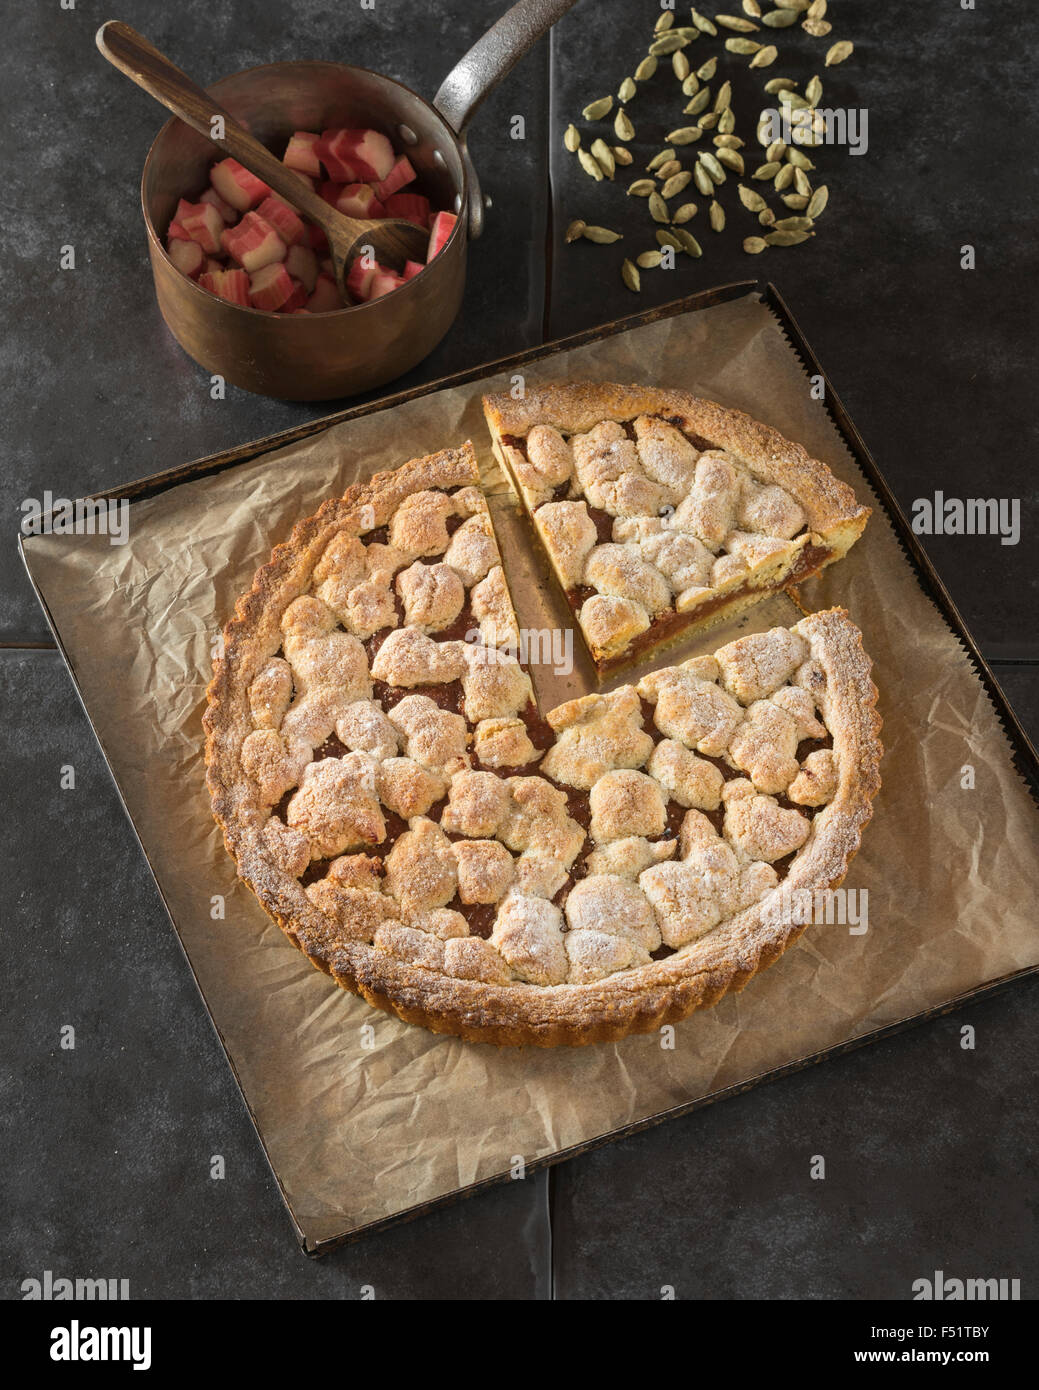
pixel 131 54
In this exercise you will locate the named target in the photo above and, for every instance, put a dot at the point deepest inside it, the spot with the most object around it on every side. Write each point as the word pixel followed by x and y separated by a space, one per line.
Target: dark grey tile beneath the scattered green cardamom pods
pixel 935 363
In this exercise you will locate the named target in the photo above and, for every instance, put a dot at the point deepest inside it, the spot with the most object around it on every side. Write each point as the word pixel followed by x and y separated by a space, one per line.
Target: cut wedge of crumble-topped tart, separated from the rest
pixel 664 514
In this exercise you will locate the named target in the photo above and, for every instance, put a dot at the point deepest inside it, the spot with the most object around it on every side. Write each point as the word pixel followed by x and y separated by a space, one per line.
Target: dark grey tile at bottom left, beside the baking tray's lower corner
pixel 108 1147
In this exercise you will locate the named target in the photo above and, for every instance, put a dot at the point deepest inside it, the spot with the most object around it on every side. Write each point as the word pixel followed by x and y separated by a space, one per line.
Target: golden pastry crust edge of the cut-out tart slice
pixel 618 632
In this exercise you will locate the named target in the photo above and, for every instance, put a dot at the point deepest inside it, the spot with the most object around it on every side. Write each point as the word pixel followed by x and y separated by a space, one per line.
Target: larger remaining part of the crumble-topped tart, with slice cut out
pixel 389 792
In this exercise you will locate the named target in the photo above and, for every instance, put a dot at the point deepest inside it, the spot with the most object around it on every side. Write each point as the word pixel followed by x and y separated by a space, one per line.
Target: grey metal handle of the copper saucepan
pixel 490 59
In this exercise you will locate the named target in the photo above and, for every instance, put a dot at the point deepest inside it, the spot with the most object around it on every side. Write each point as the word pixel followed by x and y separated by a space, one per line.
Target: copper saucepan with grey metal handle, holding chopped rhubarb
pixel 340 354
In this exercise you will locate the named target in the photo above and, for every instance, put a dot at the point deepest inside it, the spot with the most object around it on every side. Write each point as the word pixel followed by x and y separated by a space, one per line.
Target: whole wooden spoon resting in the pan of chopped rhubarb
pixel 393 243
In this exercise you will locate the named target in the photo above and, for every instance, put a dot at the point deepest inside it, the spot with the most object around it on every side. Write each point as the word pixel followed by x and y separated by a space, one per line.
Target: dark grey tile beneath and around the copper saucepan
pixel 101 391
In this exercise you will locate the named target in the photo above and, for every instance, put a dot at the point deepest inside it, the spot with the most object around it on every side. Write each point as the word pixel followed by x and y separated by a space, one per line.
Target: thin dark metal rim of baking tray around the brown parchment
pixel 1023 751
